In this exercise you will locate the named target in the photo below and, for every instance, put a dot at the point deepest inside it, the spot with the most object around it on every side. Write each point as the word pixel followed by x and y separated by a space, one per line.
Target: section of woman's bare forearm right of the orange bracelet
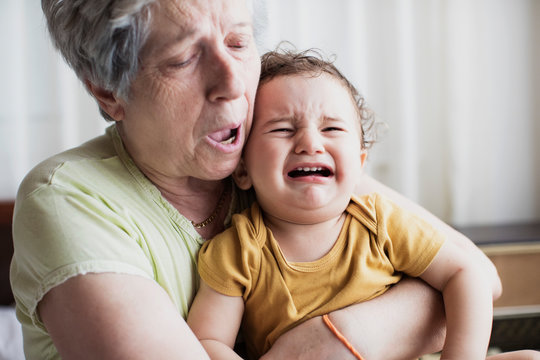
pixel 404 323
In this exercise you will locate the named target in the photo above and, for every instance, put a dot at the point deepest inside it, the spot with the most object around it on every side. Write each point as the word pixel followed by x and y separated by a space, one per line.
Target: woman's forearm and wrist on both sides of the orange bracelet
pixel 405 322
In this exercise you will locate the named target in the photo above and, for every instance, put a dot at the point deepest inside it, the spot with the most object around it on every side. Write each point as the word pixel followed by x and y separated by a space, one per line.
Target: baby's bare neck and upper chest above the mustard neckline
pixel 305 242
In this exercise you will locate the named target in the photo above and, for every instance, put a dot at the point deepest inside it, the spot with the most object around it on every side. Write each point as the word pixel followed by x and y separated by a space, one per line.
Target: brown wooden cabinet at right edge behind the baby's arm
pixel 515 251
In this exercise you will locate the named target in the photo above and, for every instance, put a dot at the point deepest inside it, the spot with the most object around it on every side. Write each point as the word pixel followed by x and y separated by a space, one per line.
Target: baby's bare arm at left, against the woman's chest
pixel 215 319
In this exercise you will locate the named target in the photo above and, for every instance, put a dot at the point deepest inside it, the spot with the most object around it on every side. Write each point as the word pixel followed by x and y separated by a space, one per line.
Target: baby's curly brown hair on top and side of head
pixel 284 61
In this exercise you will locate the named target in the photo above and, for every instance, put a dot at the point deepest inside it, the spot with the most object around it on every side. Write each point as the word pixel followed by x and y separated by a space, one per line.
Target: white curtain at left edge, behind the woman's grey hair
pixel 44 108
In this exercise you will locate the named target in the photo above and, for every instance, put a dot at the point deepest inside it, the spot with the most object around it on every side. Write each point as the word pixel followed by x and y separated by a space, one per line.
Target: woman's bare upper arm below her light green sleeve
pixel 116 316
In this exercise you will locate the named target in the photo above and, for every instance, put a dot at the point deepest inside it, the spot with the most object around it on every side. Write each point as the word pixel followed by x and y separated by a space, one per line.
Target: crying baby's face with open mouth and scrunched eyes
pixel 304 155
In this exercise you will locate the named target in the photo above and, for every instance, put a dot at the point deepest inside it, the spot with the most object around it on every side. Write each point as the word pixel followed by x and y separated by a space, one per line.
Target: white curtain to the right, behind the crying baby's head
pixel 458 84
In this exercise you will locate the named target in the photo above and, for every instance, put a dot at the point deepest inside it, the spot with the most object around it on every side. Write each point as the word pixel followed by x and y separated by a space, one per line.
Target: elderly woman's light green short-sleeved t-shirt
pixel 90 210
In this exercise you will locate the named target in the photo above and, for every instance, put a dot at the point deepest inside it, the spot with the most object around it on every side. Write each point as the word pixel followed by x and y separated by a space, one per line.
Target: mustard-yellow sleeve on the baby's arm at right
pixel 410 243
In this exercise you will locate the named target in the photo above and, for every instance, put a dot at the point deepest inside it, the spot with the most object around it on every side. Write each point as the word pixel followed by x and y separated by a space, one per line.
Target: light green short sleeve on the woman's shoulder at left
pixel 62 233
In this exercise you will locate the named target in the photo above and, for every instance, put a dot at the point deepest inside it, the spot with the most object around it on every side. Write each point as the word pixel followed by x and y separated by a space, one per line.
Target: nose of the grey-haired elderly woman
pixel 225 80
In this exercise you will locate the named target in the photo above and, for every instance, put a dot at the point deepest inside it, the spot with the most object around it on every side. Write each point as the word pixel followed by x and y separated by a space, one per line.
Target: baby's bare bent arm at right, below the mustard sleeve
pixel 468 299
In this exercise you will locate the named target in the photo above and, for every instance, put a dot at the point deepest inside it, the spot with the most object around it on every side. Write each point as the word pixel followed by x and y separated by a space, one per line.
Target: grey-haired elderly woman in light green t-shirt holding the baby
pixel 106 234
